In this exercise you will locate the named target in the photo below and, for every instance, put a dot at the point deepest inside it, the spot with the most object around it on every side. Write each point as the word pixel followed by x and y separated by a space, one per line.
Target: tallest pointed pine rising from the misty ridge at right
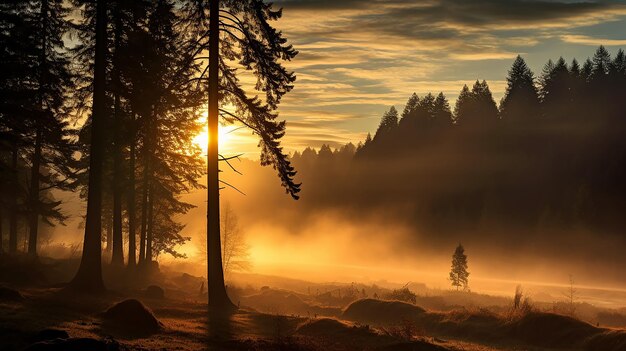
pixel 520 101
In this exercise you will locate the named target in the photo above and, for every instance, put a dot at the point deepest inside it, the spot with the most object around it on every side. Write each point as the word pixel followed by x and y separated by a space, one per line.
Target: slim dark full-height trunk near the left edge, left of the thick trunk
pixel 35 175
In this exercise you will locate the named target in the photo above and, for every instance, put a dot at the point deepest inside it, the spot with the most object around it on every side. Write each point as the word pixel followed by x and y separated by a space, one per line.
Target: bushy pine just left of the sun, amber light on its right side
pixel 171 162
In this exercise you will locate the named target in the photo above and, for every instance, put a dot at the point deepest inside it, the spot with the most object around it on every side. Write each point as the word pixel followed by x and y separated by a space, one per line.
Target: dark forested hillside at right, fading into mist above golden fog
pixel 552 152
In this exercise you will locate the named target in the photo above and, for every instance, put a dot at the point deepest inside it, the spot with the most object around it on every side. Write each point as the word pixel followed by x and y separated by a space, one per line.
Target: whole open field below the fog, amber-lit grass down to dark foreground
pixel 42 314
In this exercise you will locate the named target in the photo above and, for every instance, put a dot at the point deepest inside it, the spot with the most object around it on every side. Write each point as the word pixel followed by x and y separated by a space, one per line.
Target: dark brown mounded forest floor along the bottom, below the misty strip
pixel 49 317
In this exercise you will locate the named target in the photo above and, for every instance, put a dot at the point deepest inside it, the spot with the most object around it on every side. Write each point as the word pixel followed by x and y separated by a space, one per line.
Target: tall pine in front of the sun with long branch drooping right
pixel 240 34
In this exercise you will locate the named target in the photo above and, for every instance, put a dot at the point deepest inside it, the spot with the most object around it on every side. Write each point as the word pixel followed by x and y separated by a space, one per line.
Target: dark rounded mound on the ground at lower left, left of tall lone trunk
pixel 130 317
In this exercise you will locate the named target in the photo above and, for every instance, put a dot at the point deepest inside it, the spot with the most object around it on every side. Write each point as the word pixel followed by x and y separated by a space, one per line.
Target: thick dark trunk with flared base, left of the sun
pixel 89 275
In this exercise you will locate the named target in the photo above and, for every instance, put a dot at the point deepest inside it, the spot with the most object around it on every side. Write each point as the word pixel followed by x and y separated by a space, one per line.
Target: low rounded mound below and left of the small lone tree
pixel 381 311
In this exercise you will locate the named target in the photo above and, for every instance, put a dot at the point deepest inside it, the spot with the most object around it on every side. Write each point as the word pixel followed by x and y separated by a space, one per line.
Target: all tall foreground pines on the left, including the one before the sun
pixel 104 97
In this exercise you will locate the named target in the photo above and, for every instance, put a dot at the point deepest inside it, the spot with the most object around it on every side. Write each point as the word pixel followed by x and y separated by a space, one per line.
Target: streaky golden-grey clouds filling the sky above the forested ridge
pixel 357 58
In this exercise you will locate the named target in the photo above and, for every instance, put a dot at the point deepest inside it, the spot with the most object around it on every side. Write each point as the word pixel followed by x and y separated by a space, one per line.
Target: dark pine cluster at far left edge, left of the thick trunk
pixel 33 114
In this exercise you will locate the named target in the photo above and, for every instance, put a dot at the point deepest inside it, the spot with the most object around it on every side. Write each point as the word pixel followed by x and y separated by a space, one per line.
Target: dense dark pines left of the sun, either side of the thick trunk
pixel 149 158
